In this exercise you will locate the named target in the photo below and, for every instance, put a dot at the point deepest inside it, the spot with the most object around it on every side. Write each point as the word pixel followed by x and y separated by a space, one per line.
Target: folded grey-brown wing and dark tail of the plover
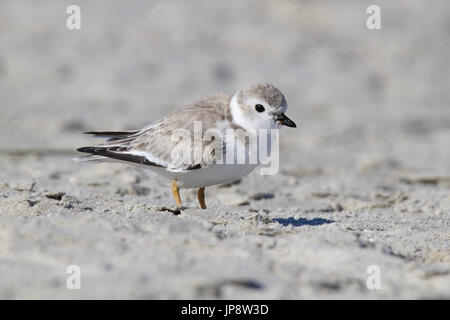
pixel 153 145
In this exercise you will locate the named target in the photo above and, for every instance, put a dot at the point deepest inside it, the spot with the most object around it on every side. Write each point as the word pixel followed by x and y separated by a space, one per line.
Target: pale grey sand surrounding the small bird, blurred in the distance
pixel 364 180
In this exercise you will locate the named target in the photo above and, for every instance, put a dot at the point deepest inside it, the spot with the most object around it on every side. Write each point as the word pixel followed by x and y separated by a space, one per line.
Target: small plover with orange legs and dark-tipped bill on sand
pixel 249 111
